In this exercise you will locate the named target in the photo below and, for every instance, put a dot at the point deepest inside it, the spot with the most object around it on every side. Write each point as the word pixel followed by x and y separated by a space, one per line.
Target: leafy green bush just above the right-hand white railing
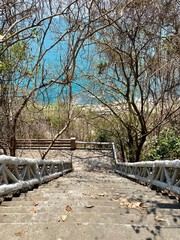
pixel 166 146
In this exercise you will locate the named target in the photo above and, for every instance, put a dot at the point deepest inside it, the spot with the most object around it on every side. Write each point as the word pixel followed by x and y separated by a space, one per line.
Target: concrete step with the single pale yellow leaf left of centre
pixel 91 217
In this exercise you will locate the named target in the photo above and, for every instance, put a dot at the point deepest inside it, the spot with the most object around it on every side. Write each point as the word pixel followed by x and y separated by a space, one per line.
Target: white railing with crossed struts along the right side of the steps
pixel 162 174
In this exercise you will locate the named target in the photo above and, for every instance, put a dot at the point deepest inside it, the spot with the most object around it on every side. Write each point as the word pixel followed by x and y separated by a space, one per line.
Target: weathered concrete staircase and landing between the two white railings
pixel 91 203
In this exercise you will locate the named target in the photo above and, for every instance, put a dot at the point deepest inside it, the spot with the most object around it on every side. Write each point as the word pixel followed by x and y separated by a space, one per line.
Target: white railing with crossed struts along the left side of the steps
pixel 20 173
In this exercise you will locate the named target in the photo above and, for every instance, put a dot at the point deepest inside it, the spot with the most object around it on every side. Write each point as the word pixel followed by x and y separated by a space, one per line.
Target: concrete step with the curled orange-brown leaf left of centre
pixel 97 208
